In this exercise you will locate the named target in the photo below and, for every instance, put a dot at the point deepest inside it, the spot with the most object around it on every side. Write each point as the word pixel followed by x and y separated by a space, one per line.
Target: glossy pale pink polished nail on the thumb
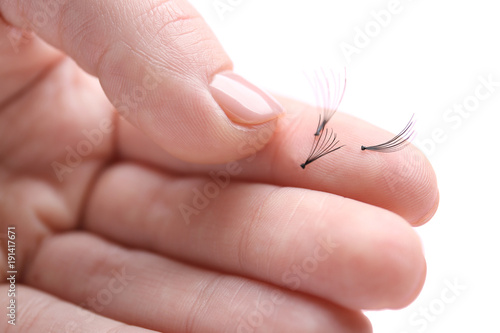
pixel 242 101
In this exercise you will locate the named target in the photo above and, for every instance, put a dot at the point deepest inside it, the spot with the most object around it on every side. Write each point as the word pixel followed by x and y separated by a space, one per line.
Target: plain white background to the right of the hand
pixel 428 58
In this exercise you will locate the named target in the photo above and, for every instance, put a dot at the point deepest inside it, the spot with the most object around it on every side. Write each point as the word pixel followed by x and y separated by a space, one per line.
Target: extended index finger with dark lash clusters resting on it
pixel 403 182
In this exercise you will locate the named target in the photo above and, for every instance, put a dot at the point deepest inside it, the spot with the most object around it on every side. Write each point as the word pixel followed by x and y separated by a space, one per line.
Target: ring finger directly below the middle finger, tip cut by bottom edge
pixel 143 289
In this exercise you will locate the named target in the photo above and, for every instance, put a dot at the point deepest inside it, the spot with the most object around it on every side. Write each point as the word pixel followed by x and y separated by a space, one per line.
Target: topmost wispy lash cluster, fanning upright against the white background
pixel 325 86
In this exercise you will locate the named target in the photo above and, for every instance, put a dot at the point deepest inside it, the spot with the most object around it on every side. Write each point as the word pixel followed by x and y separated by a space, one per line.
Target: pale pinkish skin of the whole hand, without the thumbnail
pixel 279 249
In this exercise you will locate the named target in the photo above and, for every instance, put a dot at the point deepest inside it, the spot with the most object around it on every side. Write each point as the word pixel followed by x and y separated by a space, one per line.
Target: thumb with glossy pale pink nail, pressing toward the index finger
pixel 163 70
